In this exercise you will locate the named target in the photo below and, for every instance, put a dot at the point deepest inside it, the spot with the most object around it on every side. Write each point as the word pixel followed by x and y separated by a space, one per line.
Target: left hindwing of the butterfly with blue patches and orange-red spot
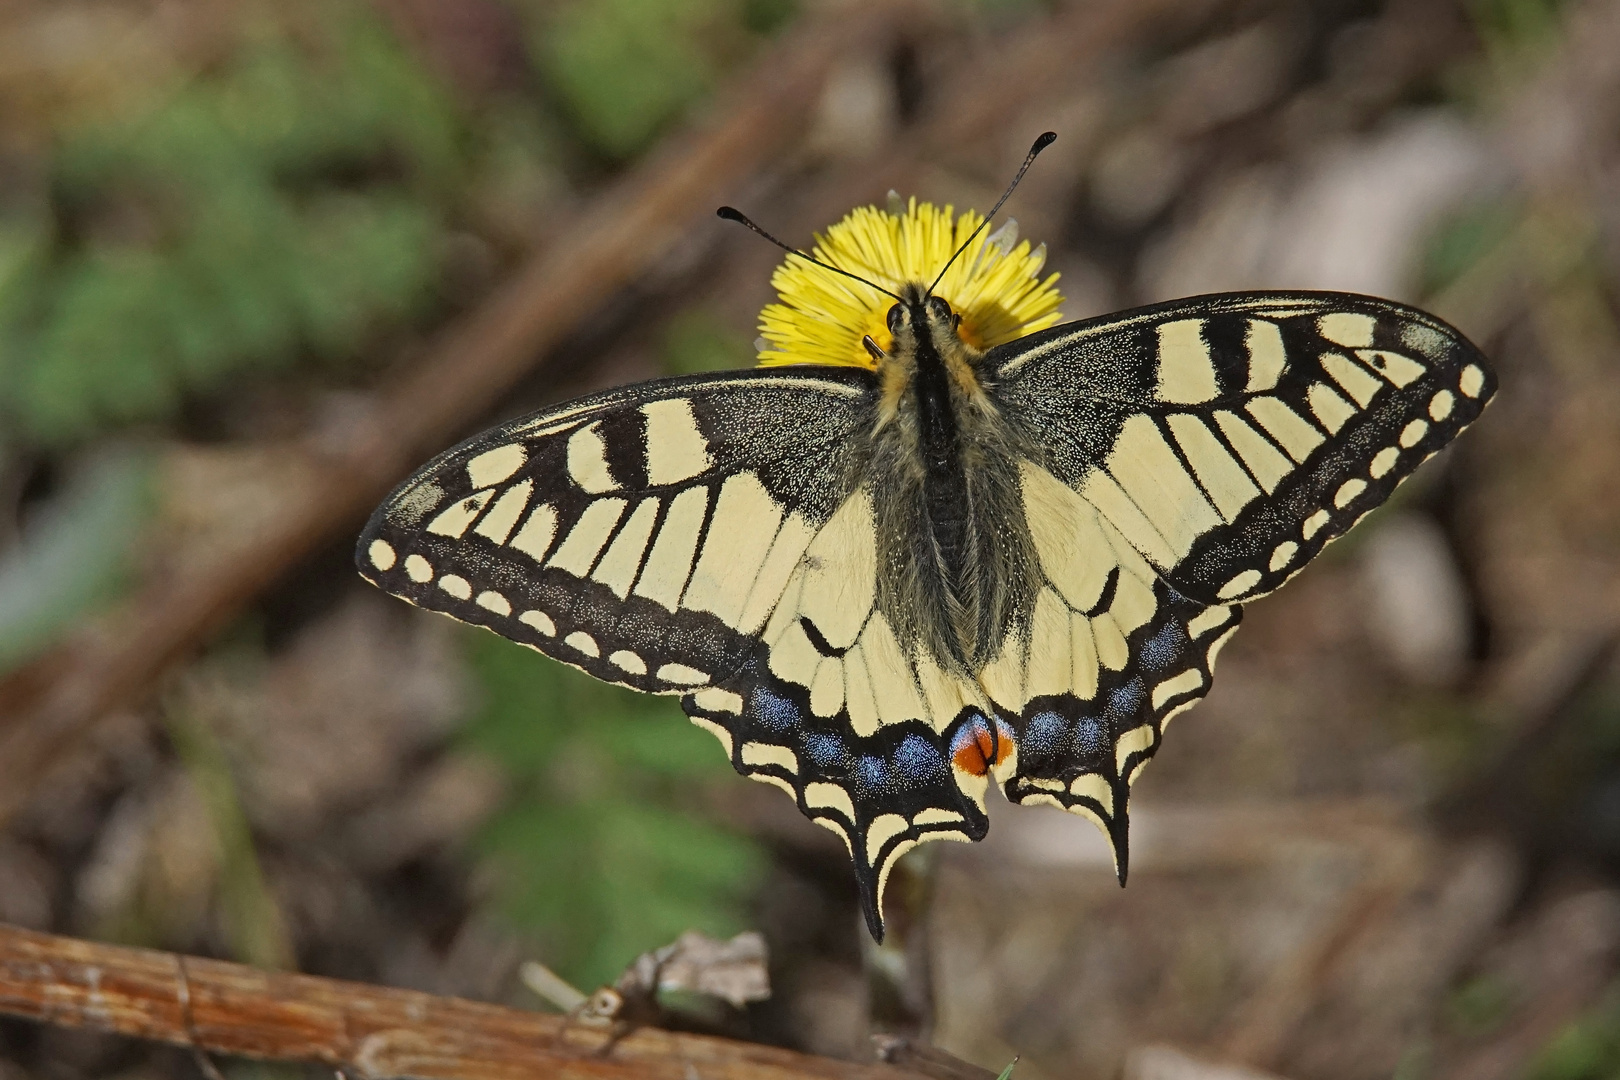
pixel 871 738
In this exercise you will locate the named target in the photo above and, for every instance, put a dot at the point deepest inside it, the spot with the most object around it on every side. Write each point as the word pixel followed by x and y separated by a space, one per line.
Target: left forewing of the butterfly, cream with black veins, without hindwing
pixel 642 535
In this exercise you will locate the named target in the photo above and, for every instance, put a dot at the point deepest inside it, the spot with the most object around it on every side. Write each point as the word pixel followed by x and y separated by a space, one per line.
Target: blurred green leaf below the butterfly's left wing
pixel 600 853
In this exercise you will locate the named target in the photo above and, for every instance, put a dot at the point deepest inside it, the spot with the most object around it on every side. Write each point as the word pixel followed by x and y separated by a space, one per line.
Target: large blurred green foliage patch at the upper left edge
pixel 286 206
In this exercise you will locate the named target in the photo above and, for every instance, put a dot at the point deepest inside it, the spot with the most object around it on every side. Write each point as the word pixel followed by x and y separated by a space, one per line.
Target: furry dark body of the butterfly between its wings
pixel 944 472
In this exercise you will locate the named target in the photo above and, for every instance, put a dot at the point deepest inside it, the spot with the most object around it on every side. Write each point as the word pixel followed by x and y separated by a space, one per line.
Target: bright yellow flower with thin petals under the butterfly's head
pixel 822 317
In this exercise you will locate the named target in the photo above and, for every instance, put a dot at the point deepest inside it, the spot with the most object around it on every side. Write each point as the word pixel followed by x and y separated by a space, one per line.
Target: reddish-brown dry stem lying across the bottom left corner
pixel 370 1031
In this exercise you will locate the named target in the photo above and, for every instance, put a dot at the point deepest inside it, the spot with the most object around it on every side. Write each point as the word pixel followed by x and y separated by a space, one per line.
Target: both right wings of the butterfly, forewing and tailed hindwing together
pixel 1196 456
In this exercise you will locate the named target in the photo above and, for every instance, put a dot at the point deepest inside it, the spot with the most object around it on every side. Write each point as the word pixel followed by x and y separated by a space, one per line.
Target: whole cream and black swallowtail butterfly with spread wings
pixel 885 587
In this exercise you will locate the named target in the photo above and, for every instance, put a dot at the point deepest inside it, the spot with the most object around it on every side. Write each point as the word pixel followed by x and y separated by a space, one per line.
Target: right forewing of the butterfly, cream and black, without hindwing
pixel 1230 438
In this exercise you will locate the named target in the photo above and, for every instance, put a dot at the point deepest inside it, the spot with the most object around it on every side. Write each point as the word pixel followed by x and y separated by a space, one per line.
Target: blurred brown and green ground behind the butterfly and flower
pixel 260 260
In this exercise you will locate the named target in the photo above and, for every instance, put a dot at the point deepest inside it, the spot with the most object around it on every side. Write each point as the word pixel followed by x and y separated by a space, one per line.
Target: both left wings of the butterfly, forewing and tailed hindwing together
pixel 697 538
